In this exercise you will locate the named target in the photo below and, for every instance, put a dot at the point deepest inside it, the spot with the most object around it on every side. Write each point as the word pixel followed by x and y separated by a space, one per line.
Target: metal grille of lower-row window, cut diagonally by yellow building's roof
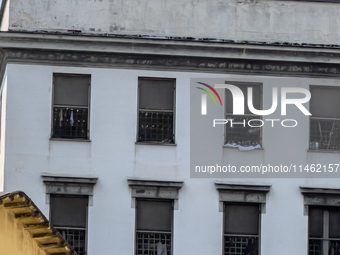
pixel 76 238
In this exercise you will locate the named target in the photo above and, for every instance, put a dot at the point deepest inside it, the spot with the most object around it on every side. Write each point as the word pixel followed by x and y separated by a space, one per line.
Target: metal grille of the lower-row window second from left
pixel 146 242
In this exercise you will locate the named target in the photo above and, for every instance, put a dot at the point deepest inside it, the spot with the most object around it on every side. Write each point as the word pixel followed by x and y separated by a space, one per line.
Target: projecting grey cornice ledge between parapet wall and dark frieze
pixel 170 47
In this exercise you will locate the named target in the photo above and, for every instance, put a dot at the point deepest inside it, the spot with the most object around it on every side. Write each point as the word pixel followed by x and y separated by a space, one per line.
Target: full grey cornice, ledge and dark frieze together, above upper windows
pixel 170 55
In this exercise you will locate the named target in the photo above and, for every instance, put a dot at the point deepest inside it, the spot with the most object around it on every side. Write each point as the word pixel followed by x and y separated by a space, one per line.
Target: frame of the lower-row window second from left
pixel 172 220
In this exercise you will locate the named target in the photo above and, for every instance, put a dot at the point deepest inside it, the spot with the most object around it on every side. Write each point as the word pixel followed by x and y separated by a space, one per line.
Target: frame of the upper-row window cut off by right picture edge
pixel 311 118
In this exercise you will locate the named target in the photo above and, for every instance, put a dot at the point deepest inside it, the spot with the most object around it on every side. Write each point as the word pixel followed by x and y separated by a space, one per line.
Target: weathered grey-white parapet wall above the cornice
pixel 258 20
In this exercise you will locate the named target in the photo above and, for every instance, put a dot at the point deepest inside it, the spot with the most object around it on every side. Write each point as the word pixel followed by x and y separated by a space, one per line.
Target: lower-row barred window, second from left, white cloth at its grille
pixel 154 227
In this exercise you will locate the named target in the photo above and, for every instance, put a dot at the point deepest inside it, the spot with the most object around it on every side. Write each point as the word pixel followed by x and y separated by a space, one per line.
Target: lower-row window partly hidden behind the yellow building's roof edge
pixel 69 216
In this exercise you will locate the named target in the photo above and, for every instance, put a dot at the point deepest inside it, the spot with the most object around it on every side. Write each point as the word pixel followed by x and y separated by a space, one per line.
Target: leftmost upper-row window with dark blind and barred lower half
pixel 70 106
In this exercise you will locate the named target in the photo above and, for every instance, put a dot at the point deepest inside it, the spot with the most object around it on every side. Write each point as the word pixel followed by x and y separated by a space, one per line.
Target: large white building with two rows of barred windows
pixel 95 123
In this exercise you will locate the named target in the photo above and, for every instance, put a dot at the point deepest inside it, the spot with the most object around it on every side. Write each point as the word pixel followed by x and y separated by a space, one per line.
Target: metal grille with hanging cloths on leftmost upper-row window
pixel 70 122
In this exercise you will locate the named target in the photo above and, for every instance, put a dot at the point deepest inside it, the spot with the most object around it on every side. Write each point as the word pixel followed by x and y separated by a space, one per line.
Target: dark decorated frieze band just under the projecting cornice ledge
pixel 161 62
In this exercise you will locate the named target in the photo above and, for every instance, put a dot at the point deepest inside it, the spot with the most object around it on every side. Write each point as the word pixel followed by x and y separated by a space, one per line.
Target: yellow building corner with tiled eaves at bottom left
pixel 25 230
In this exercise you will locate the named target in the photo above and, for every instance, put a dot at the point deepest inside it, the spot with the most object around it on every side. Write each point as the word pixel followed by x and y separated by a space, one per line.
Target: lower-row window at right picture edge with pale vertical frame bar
pixel 324 231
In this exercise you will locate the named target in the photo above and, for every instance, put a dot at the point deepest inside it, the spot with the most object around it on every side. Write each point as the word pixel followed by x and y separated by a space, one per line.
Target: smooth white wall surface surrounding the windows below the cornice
pixel 113 156
